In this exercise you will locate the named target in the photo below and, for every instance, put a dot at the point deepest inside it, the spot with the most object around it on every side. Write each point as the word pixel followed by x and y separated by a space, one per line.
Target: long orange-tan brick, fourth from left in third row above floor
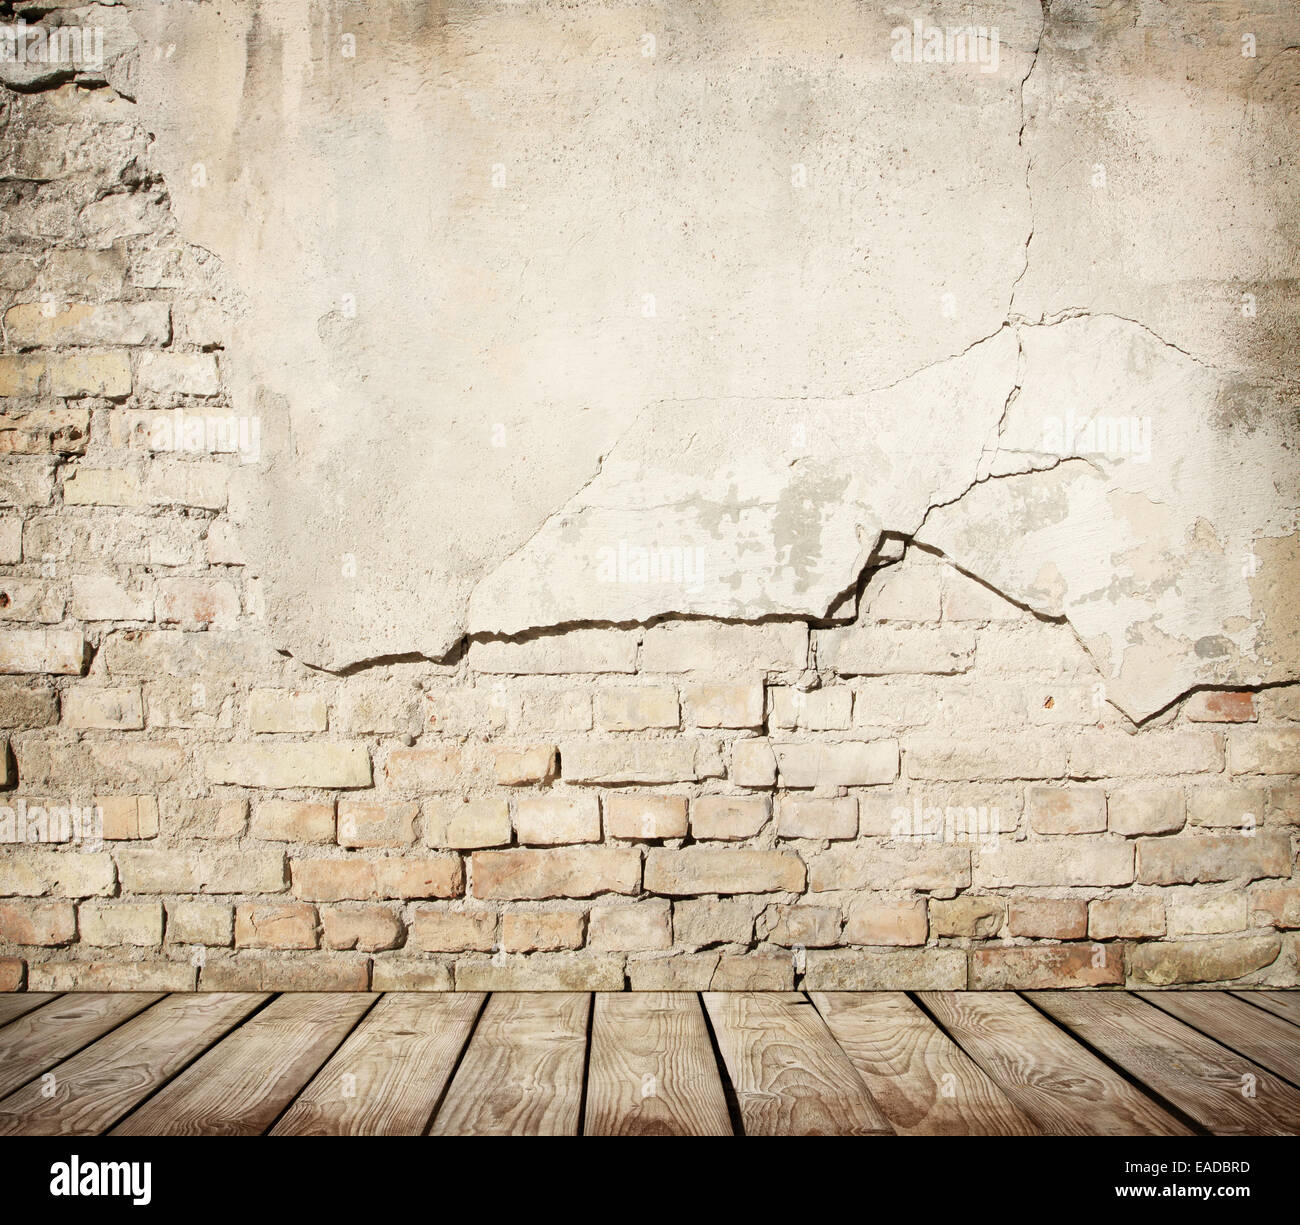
pixel 580 872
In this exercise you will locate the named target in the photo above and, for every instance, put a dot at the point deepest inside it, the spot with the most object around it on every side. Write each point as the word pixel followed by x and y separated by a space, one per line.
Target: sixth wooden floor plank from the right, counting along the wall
pixel 791 1077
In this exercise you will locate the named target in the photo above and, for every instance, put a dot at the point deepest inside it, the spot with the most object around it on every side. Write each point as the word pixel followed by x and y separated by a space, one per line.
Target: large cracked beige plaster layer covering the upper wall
pixel 622 311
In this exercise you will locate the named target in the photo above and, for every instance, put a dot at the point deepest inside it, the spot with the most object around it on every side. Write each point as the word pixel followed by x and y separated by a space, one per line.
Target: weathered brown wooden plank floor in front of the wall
pixel 1051 1063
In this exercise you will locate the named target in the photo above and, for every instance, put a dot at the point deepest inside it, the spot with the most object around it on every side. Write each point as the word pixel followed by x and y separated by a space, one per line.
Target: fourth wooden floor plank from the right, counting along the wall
pixel 1064 1088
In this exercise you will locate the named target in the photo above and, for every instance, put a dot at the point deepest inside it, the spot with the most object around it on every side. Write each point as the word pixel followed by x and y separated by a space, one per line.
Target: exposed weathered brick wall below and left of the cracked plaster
pixel 935 797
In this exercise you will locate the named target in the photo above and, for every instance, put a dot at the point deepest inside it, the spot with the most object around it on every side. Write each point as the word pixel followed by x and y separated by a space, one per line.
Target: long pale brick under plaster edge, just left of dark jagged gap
pixel 725 650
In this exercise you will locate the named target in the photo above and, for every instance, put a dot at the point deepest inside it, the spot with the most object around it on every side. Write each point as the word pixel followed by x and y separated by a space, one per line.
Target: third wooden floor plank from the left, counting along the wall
pixel 99 1085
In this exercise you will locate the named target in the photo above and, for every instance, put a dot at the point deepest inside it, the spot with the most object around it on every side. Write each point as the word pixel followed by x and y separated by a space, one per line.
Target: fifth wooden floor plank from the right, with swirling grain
pixel 922 1081
